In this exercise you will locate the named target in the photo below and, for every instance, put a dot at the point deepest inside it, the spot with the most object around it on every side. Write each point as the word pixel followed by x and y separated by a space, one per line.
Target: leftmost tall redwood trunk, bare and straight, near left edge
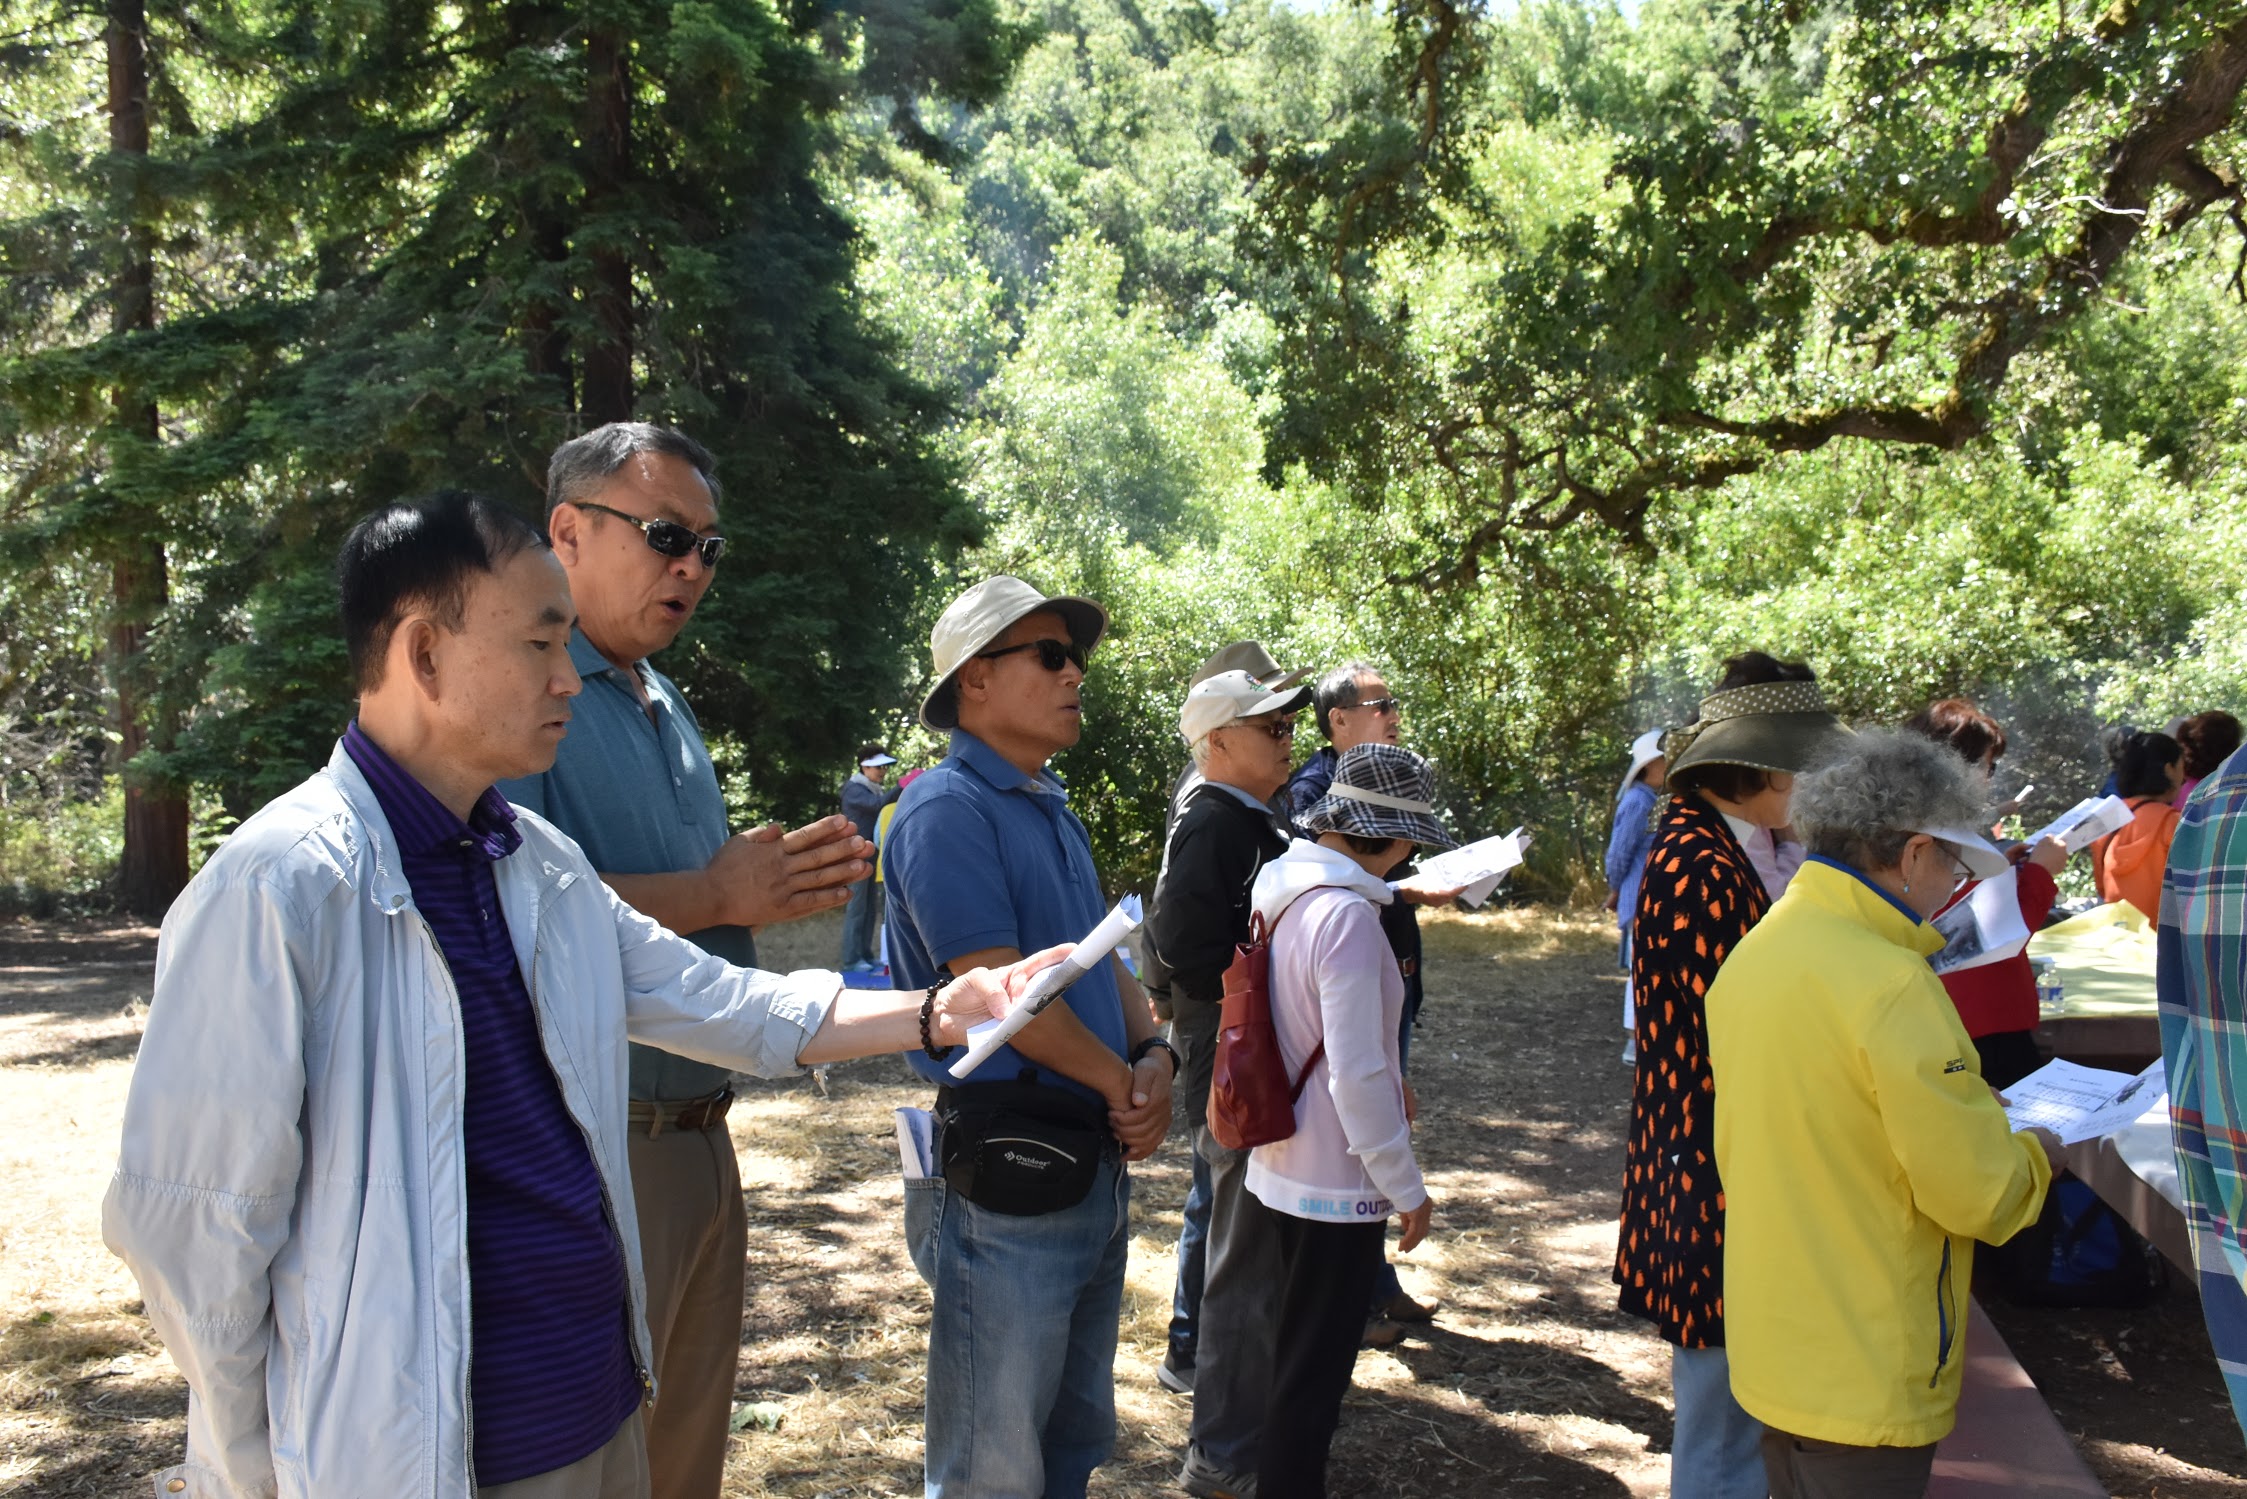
pixel 154 866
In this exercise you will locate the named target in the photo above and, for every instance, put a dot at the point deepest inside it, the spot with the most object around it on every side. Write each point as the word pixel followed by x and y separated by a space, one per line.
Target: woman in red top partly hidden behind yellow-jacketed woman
pixel 1999 1001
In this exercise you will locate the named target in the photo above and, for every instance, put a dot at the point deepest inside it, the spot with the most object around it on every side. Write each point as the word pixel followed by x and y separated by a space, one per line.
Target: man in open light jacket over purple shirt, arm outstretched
pixel 374 1170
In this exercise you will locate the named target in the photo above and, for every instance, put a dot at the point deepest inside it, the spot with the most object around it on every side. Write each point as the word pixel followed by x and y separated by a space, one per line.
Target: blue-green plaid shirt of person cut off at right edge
pixel 2203 985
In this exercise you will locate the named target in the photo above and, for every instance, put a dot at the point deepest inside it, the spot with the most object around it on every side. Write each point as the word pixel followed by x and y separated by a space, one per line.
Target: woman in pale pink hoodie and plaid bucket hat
pixel 1336 1006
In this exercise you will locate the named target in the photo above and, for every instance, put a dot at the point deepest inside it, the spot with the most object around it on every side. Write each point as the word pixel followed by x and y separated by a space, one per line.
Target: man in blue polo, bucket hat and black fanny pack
pixel 985 857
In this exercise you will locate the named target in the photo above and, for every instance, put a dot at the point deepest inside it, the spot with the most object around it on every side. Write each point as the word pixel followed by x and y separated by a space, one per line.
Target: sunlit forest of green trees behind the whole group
pixel 1543 354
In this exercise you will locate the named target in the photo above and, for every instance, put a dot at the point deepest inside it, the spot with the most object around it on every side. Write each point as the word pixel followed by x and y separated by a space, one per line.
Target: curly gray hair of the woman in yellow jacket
pixel 1873 790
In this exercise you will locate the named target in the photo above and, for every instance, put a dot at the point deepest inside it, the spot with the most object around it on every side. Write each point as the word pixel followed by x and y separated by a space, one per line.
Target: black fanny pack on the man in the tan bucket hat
pixel 1021 1147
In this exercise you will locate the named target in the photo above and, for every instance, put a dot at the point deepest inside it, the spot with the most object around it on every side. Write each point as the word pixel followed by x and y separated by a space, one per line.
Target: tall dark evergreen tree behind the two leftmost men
pixel 435 244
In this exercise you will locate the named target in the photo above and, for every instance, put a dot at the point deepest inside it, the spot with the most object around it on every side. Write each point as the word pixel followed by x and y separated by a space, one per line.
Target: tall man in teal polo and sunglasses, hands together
pixel 633 518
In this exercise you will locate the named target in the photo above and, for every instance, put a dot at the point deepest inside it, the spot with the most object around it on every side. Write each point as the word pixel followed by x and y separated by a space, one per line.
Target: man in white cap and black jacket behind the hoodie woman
pixel 1226 830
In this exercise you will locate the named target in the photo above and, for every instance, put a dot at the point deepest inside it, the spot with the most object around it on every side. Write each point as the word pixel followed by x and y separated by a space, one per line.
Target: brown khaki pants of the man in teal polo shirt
pixel 695 1251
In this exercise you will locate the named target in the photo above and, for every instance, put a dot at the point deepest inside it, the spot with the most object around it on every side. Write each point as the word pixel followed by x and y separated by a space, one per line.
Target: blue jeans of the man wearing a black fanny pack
pixel 1021 1341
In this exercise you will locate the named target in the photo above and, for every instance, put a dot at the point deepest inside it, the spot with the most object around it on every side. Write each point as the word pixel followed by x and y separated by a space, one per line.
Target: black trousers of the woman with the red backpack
pixel 1327 1275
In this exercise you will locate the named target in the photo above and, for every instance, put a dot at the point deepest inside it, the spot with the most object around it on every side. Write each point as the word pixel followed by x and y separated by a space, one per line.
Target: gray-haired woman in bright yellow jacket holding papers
pixel 1859 1147
